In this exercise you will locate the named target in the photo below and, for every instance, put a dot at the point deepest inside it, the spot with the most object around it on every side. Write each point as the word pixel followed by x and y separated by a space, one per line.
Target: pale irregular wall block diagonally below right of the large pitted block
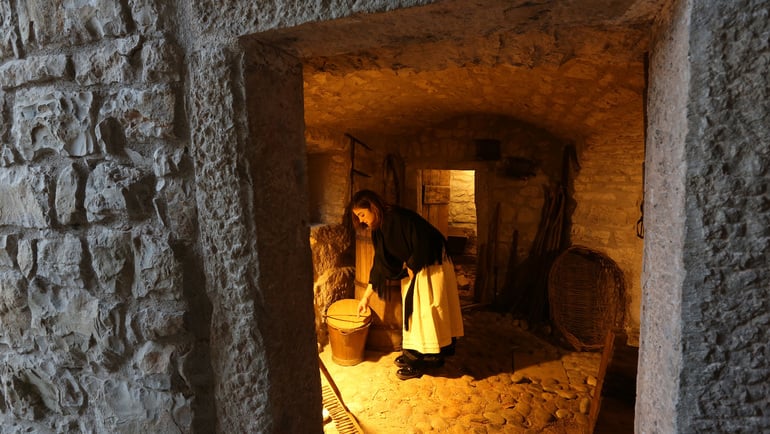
pixel 106 191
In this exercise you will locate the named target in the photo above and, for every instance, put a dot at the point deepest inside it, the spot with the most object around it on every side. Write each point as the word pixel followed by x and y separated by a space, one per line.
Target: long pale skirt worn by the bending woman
pixel 436 316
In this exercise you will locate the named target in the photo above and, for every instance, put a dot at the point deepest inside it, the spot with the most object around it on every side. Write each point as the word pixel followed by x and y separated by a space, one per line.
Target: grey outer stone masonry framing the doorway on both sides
pixel 153 218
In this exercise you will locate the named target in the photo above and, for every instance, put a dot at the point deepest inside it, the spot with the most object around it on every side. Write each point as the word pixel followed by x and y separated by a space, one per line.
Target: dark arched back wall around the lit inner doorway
pixel 452 145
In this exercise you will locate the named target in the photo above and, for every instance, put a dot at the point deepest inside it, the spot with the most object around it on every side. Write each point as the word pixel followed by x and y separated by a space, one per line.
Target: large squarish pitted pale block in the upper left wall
pixel 46 119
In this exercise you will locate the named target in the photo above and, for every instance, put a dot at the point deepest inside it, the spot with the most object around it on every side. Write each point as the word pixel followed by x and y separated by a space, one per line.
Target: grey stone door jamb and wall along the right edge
pixel 703 361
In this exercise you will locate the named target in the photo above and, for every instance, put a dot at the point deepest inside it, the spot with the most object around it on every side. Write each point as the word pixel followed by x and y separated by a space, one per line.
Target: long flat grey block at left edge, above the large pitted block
pixel 37 69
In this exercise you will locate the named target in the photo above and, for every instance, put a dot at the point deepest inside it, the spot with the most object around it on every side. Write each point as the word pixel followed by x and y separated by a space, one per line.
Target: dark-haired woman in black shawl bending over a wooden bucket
pixel 407 247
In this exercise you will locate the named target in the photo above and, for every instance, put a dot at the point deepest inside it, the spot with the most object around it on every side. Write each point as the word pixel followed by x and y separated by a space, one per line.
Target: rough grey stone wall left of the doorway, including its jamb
pixel 114 182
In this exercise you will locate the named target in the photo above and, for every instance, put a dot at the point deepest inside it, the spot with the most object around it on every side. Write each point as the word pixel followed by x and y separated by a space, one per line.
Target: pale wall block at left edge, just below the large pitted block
pixel 23 198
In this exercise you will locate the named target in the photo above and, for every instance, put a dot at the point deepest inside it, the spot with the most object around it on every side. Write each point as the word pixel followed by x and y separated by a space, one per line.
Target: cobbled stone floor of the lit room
pixel 503 379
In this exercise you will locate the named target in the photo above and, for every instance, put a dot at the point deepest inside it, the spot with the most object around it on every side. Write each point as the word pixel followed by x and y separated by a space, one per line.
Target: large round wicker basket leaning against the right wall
pixel 585 294
